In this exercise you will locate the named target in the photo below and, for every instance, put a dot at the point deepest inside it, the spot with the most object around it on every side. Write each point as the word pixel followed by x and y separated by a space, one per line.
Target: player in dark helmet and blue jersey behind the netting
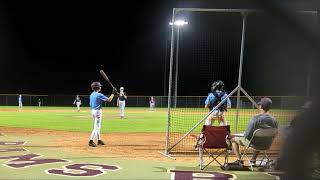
pixel 216 95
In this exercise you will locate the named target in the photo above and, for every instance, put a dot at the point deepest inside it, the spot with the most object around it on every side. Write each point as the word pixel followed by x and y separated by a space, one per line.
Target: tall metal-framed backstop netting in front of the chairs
pixel 207 49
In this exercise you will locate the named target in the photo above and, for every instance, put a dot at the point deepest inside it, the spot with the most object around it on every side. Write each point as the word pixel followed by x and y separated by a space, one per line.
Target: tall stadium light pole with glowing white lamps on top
pixel 178 23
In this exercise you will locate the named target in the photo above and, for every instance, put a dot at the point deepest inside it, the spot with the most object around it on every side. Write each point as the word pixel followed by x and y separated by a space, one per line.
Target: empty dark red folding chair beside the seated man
pixel 215 141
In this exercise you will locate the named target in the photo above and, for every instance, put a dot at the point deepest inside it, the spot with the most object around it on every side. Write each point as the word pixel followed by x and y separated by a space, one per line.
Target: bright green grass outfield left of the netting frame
pixel 68 119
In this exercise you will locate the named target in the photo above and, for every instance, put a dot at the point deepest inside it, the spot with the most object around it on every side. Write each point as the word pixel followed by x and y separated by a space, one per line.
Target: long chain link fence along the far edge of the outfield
pixel 279 102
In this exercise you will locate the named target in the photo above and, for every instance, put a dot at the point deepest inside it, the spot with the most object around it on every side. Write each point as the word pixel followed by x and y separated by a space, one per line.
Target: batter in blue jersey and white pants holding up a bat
pixel 96 102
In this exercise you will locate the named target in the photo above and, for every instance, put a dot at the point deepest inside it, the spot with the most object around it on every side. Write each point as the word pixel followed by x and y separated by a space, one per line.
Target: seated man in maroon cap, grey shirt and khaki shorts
pixel 263 120
